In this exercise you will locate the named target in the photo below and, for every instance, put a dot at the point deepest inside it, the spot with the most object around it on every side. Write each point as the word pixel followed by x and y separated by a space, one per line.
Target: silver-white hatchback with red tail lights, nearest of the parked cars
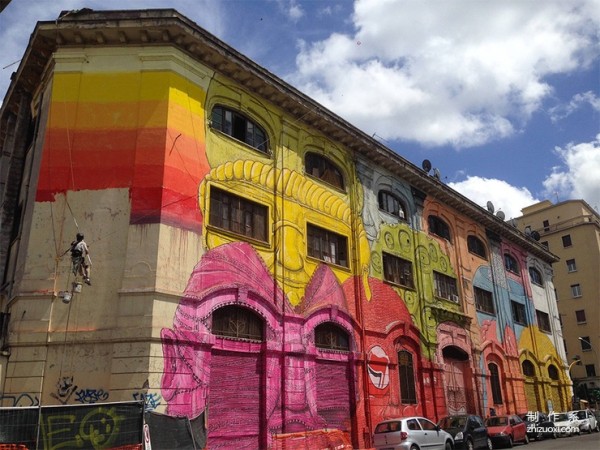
pixel 409 433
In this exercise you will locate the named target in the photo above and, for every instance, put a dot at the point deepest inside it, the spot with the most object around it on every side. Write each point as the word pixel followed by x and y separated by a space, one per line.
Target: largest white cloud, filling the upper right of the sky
pixel 462 73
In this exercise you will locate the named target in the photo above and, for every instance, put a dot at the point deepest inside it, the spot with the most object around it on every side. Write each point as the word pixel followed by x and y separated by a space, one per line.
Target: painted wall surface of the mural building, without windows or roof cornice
pixel 131 158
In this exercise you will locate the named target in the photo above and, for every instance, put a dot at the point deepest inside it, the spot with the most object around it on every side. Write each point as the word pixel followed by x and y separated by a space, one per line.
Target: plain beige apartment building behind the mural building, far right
pixel 571 230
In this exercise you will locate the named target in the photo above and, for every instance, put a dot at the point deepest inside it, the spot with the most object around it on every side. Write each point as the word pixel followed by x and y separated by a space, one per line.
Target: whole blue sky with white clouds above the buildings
pixel 502 96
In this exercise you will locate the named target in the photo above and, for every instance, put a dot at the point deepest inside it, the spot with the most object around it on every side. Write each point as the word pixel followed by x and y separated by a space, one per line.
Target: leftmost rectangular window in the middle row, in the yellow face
pixel 237 214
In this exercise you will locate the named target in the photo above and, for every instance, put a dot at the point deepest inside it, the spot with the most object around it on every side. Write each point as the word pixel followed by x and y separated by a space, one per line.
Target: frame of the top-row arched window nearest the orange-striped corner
pixel 235 128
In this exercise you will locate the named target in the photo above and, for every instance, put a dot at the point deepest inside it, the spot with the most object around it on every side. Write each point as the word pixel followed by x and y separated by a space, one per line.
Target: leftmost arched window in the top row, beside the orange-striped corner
pixel 239 127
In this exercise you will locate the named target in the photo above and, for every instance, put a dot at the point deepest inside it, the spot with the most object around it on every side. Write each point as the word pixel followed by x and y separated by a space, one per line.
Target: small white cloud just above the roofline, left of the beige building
pixel 505 197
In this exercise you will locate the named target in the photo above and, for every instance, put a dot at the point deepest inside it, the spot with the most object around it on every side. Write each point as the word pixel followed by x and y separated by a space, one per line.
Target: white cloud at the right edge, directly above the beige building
pixel 579 177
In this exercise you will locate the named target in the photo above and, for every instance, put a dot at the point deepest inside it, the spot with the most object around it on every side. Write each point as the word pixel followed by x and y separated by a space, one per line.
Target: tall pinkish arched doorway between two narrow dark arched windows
pixel 458 384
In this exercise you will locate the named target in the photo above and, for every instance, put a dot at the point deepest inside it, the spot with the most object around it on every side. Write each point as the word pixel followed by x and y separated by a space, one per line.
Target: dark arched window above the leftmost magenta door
pixel 237 322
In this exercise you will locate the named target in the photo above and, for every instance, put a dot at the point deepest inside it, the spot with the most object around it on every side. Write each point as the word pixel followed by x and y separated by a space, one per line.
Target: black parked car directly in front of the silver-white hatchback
pixel 469 431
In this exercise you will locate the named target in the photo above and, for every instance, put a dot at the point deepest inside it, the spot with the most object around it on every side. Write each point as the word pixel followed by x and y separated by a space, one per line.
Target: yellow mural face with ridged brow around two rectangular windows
pixel 300 201
